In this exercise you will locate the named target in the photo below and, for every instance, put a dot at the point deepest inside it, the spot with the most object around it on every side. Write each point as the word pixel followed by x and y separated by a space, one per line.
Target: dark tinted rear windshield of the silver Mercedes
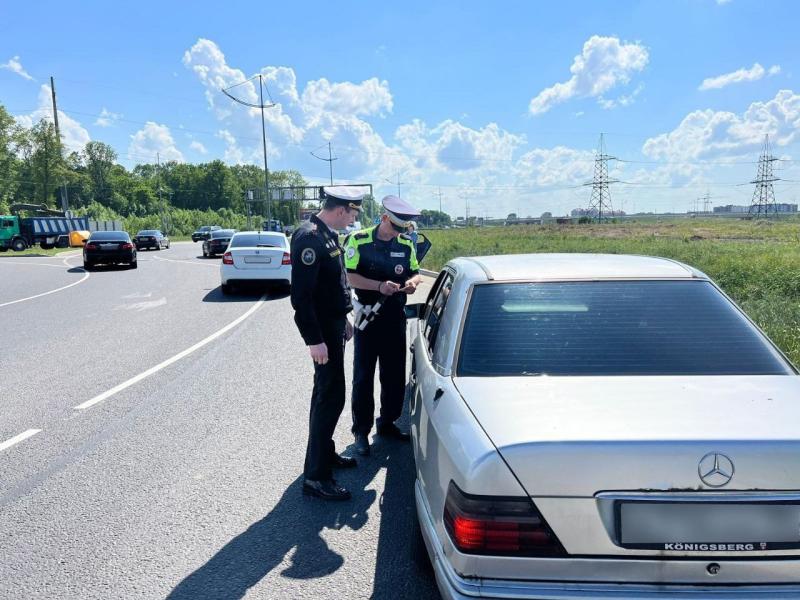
pixel 610 328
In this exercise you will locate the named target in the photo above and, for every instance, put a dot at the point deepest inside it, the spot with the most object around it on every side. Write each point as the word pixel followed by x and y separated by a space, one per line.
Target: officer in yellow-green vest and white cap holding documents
pixel 382 268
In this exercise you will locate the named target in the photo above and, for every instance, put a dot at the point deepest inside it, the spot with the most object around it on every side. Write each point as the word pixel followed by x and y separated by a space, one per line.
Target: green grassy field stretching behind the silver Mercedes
pixel 757 263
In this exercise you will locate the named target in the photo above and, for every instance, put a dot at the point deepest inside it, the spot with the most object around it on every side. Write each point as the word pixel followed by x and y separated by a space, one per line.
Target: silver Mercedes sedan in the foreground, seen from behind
pixel 602 426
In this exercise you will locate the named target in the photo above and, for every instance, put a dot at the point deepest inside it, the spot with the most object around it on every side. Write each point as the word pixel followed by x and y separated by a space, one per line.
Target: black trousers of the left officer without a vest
pixel 327 402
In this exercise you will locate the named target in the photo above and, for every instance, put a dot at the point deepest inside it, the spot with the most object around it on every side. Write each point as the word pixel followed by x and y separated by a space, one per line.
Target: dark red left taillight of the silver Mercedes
pixel 497 525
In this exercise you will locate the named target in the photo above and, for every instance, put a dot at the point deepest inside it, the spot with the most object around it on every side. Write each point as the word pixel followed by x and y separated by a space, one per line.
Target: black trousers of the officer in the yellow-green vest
pixel 383 341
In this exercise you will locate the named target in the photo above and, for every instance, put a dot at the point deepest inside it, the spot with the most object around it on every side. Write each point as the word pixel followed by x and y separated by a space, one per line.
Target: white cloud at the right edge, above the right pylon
pixel 704 134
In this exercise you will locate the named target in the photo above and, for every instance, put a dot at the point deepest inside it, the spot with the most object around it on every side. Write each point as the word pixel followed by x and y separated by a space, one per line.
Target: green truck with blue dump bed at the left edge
pixel 48 232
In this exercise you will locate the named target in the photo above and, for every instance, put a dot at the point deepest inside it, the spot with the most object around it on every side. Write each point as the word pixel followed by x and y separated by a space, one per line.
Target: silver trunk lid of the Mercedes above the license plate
pixel 577 436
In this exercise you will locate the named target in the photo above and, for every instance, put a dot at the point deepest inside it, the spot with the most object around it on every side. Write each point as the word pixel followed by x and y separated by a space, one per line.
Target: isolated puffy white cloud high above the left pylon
pixel 603 64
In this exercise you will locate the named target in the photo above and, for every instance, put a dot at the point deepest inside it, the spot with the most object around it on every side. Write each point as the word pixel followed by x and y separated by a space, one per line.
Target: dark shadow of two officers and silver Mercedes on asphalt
pixel 296 522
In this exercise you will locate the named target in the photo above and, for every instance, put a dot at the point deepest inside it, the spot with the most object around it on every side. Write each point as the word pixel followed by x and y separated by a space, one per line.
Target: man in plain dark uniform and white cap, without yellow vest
pixel 321 300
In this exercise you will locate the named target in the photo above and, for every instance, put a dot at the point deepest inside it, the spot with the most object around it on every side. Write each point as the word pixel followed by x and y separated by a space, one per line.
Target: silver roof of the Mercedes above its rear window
pixel 572 266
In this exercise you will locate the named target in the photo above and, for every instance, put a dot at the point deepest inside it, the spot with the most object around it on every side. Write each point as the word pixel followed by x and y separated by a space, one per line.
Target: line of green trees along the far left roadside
pixel 176 196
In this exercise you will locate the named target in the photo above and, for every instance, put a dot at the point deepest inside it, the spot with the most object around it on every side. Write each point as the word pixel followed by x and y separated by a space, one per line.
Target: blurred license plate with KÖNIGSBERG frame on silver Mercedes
pixel 709 526
